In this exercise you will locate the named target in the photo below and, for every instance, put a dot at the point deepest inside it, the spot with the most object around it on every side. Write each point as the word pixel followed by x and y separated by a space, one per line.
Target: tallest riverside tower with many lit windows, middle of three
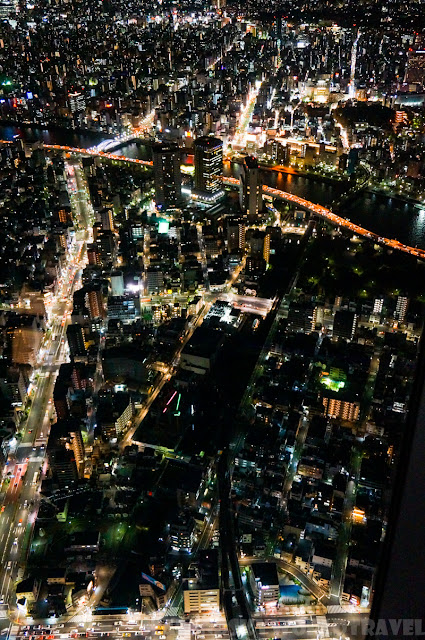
pixel 208 170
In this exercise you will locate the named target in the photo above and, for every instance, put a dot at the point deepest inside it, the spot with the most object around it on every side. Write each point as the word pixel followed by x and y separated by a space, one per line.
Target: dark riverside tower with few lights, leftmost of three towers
pixel 167 175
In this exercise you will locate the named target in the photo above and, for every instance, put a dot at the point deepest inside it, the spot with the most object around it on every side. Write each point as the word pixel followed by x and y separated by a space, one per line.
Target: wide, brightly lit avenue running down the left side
pixel 23 472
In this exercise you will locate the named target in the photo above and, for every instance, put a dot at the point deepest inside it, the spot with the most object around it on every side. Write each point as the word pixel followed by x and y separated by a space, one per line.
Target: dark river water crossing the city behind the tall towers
pixel 388 217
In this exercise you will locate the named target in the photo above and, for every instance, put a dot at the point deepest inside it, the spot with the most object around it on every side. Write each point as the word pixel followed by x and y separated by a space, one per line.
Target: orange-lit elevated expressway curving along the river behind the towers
pixel 315 209
